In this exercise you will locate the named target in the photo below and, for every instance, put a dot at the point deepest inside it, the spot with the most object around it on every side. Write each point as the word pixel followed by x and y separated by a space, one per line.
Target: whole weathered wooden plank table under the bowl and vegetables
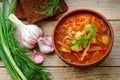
pixel 107 70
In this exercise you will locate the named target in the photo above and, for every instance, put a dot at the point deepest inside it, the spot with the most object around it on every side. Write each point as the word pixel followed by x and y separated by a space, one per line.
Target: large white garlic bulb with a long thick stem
pixel 30 33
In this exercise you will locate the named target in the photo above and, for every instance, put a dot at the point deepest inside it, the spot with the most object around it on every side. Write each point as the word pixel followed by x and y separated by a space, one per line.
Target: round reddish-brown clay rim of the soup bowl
pixel 91 12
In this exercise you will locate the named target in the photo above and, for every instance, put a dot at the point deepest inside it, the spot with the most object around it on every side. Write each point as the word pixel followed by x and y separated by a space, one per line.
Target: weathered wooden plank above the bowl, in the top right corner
pixel 109 8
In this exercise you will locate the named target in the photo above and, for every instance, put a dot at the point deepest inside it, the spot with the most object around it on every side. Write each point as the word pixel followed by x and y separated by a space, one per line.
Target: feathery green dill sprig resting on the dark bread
pixel 50 8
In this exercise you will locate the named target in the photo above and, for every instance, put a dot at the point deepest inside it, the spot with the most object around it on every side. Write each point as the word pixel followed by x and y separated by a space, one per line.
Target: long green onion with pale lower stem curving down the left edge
pixel 4 41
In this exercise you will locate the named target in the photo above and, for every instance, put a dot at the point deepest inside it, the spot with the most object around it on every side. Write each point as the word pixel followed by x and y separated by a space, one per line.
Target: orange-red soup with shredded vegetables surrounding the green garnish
pixel 77 22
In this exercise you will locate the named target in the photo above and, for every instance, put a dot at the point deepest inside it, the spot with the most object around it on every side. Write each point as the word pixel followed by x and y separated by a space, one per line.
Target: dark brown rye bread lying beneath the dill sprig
pixel 25 10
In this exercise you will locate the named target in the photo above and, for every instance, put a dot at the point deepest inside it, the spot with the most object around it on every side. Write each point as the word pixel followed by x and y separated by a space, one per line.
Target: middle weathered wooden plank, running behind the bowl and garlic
pixel 52 59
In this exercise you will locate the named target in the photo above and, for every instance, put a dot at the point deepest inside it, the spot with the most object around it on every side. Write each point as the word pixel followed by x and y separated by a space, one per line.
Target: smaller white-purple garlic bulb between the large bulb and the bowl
pixel 45 44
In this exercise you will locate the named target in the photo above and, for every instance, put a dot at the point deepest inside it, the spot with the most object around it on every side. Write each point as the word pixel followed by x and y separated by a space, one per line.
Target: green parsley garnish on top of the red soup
pixel 83 42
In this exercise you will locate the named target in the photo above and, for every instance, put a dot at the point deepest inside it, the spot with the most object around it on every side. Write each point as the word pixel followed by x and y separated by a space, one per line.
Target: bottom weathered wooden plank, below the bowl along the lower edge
pixel 71 73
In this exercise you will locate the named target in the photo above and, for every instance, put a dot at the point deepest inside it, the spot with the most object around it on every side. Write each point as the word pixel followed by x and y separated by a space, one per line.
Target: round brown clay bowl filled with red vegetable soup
pixel 83 38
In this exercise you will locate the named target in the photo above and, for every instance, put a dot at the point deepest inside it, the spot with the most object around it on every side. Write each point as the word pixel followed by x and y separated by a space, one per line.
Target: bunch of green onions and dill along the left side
pixel 13 54
